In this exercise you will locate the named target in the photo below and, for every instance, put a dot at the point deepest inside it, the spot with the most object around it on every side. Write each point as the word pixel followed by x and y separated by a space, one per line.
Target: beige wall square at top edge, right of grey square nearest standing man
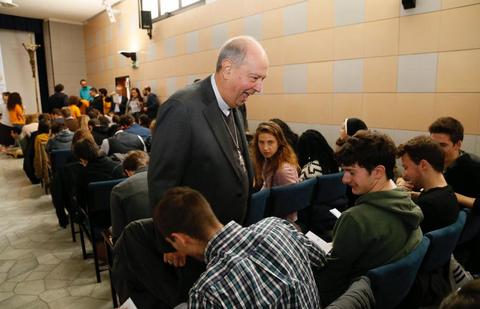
pixel 320 14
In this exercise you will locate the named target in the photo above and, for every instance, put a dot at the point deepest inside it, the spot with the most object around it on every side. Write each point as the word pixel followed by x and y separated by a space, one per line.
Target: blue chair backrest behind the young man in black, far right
pixel 442 244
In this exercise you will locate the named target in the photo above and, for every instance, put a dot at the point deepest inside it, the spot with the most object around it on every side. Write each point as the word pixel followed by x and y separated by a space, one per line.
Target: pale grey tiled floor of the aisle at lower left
pixel 40 266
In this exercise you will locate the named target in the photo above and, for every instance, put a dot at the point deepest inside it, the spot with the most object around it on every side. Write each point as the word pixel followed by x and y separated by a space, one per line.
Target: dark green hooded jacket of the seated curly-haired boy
pixel 382 227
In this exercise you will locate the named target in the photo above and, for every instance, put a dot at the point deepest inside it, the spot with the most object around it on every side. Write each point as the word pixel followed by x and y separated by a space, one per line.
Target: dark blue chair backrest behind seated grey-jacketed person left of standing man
pixel 98 201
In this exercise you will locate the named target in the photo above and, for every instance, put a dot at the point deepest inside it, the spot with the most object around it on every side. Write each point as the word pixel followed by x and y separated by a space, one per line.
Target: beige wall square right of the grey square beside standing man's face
pixel 320 77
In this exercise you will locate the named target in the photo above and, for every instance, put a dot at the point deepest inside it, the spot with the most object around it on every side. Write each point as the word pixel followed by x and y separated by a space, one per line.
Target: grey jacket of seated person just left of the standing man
pixel 129 202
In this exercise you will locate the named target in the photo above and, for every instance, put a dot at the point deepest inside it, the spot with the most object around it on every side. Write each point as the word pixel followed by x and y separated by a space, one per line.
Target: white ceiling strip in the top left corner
pixel 73 11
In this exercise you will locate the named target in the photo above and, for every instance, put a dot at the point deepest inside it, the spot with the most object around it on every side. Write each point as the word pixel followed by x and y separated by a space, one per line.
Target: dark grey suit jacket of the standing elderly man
pixel 191 147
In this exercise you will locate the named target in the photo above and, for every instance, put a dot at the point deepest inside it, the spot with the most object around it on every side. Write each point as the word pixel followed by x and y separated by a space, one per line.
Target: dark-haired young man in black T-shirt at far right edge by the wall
pixel 462 172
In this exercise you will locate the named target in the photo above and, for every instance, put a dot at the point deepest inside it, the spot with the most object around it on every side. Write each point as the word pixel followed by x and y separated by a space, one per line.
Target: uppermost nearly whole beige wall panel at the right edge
pixel 459 28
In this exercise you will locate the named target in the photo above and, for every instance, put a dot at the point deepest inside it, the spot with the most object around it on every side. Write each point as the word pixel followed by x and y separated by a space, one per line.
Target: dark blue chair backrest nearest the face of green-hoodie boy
pixel 331 190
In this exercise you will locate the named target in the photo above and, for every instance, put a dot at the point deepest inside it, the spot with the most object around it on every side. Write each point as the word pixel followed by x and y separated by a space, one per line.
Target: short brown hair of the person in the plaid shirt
pixel 184 210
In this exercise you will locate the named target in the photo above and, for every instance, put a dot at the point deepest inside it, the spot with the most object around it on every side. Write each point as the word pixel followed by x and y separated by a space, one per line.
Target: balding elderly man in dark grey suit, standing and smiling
pixel 200 141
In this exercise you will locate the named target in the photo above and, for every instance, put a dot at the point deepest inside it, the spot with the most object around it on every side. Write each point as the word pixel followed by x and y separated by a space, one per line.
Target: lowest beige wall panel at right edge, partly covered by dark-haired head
pixel 463 106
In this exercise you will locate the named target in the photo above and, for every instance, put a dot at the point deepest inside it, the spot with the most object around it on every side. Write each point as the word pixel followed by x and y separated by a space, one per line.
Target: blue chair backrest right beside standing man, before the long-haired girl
pixel 291 198
